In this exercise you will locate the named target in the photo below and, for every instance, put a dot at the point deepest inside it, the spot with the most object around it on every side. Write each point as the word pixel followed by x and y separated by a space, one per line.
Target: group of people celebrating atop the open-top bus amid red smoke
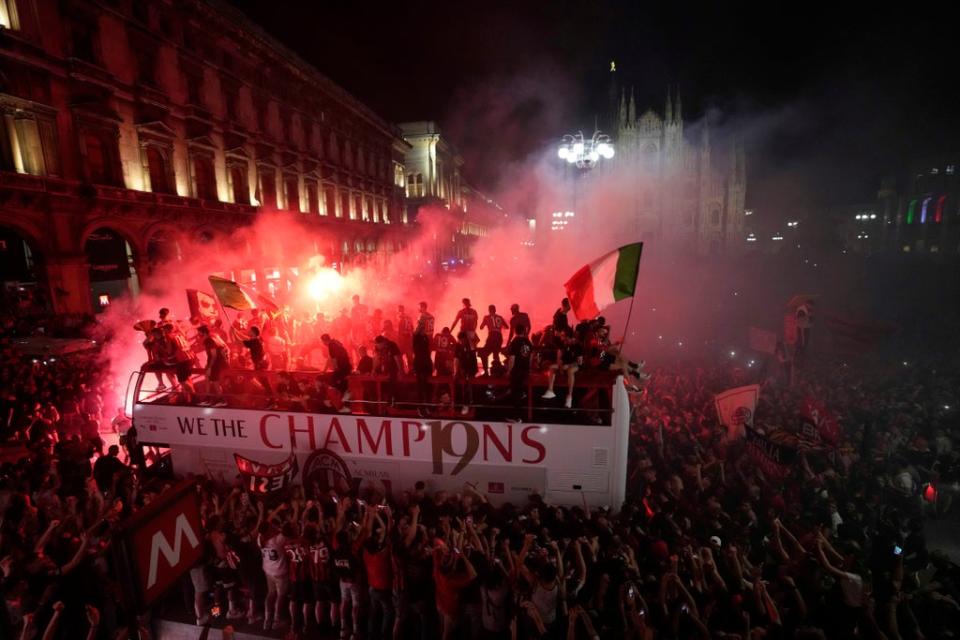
pixel 365 344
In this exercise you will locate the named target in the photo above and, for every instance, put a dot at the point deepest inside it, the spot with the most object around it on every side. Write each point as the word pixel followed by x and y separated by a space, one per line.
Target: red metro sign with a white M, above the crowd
pixel 166 543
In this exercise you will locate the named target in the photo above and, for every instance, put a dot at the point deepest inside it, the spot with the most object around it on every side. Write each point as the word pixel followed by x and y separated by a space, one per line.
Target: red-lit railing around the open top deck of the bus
pixel 368 395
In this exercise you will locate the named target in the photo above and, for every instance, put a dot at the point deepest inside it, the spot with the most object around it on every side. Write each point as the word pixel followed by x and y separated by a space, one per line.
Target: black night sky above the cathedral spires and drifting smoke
pixel 829 97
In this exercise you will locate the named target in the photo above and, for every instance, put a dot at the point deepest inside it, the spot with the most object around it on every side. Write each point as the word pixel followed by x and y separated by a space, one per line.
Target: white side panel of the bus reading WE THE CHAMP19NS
pixel 390 453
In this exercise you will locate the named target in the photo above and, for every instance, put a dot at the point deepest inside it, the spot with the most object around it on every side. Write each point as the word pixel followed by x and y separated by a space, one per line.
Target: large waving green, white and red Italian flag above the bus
pixel 604 281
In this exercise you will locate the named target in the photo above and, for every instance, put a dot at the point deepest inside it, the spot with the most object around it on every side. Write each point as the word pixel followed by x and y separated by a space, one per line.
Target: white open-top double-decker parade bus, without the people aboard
pixel 567 456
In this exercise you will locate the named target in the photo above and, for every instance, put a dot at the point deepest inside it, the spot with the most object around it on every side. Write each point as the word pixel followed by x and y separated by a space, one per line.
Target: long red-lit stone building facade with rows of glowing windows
pixel 126 122
